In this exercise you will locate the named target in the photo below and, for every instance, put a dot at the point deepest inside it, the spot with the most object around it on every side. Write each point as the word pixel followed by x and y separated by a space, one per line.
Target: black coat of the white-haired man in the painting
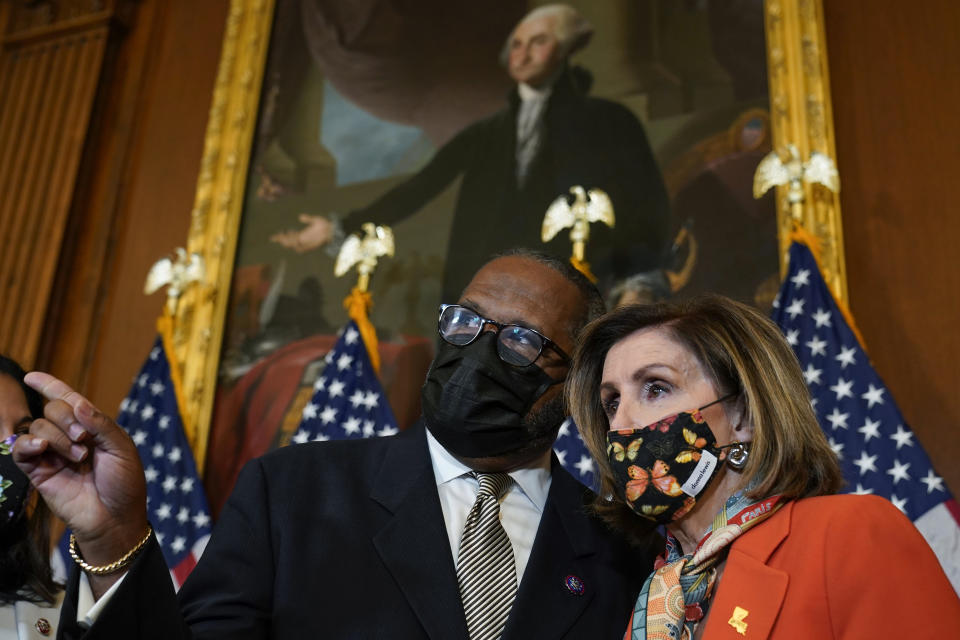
pixel 587 141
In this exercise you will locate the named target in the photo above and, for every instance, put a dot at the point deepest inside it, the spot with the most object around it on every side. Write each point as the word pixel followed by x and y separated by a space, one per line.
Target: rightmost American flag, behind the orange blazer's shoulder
pixel 877 449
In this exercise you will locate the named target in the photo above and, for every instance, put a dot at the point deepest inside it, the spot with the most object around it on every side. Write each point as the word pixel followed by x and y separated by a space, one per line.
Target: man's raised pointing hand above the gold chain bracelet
pixel 87 470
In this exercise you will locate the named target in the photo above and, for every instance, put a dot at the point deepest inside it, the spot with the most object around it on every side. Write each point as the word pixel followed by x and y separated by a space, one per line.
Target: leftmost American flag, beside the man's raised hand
pixel 176 504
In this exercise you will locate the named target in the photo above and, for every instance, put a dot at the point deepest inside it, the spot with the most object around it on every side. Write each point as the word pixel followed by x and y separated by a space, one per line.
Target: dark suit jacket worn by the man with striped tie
pixel 346 540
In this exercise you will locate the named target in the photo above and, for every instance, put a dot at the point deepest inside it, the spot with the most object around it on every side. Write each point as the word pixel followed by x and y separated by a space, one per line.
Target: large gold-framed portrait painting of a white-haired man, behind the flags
pixel 460 130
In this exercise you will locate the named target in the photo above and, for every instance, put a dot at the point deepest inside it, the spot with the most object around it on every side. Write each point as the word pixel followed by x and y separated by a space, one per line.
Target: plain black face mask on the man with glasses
pixel 474 403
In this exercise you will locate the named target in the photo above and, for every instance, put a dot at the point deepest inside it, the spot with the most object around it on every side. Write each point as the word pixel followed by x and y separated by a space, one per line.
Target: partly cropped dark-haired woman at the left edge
pixel 29 598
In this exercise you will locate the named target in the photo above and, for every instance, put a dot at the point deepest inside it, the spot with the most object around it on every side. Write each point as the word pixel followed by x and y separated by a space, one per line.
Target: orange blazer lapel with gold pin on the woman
pixel 749 585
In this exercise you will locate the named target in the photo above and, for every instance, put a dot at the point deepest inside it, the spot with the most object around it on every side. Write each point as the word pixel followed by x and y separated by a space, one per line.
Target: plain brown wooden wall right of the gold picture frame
pixel 895 76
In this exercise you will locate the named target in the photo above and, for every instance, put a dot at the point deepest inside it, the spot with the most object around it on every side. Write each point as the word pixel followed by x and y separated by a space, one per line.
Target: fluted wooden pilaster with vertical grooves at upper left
pixel 44 119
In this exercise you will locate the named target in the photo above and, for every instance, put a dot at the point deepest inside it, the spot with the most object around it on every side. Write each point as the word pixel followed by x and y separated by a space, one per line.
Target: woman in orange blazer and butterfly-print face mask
pixel 699 419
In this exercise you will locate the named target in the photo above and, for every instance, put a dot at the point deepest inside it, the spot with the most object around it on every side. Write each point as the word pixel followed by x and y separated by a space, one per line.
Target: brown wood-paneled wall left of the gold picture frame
pixel 103 108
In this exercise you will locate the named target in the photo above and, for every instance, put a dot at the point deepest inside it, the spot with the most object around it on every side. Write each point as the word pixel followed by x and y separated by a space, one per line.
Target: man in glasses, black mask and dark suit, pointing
pixel 359 539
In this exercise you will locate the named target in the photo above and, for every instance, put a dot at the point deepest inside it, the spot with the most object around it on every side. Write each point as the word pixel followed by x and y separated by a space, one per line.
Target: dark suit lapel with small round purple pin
pixel 546 607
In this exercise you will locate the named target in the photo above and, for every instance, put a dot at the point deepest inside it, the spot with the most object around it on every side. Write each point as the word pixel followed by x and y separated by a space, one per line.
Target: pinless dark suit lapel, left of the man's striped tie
pixel 413 543
